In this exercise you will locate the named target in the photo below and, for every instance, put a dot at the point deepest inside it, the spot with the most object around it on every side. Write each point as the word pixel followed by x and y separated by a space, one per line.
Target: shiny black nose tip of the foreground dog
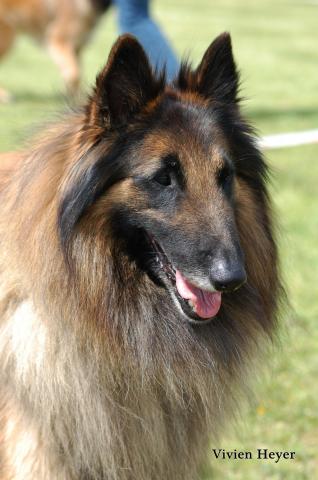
pixel 226 277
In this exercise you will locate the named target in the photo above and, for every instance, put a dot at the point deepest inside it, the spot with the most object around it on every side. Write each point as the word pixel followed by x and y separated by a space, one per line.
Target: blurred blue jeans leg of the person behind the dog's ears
pixel 133 17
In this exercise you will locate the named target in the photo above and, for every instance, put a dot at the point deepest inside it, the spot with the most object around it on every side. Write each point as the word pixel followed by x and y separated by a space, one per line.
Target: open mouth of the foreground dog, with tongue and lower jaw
pixel 198 305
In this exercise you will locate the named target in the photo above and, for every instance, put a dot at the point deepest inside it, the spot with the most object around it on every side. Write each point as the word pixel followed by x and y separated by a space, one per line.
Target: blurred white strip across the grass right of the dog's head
pixel 291 139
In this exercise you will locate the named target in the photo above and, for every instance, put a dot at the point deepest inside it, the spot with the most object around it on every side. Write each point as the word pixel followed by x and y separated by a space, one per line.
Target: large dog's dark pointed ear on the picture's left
pixel 124 86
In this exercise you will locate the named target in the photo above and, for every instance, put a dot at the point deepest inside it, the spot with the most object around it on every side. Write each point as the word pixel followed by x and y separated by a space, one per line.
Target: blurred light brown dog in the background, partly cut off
pixel 62 25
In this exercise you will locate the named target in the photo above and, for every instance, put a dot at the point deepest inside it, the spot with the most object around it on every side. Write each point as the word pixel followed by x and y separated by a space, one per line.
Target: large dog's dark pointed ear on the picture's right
pixel 217 76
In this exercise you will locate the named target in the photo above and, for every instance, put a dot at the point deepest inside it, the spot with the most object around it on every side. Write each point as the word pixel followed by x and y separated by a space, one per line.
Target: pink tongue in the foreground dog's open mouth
pixel 206 304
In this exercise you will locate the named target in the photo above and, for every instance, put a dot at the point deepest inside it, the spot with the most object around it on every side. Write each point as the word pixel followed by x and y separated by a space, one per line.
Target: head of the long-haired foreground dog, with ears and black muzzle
pixel 162 172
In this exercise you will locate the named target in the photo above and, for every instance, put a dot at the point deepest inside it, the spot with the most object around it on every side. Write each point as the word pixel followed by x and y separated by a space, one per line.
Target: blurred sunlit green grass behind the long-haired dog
pixel 275 44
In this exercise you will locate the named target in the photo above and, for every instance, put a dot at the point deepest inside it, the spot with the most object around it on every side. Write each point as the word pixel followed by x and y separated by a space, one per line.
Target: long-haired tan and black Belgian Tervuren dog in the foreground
pixel 138 276
